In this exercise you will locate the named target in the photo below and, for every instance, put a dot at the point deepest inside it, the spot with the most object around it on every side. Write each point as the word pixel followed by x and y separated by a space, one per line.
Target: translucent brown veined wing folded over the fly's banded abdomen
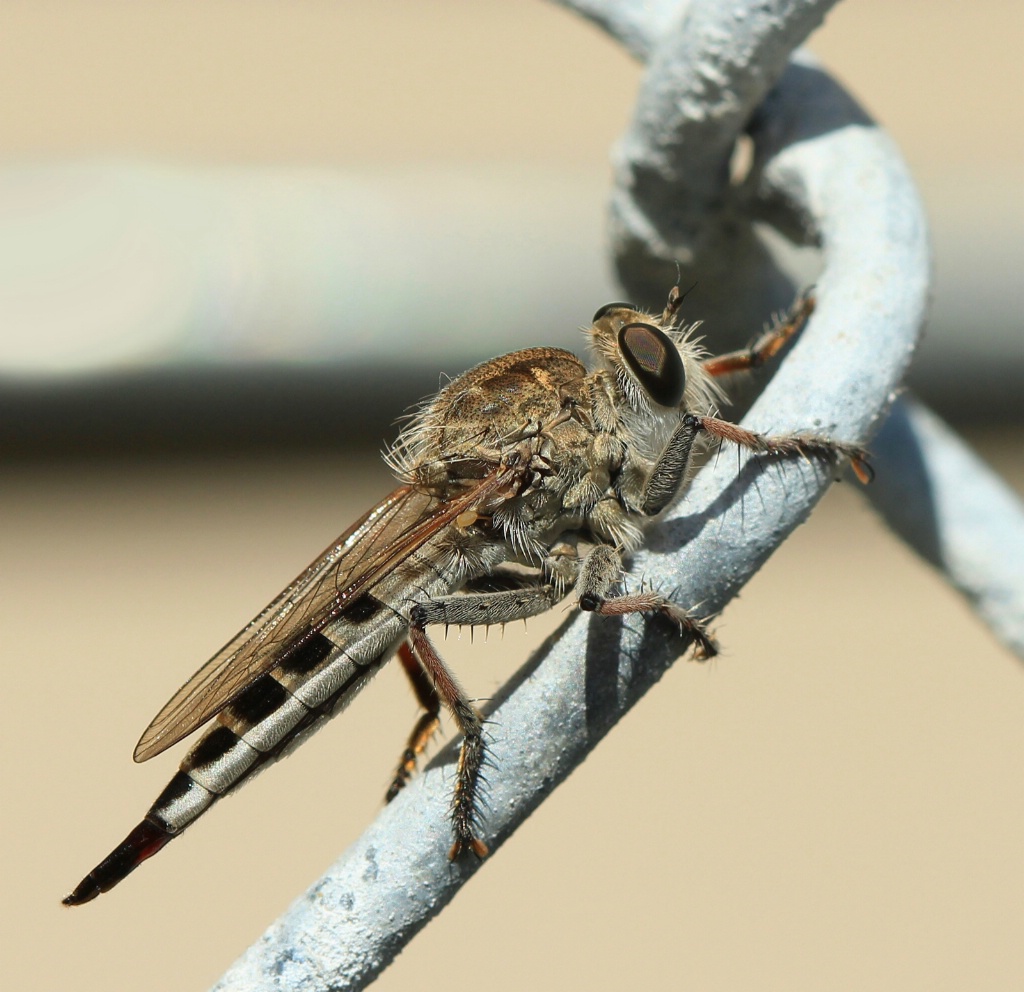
pixel 370 549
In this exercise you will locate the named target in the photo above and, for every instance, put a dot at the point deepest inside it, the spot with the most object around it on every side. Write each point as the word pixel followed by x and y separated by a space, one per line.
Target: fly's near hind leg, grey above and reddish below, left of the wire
pixel 473 609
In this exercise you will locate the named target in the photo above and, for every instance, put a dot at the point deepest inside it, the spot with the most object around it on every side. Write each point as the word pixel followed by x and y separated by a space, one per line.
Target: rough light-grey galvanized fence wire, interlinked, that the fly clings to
pixel 829 177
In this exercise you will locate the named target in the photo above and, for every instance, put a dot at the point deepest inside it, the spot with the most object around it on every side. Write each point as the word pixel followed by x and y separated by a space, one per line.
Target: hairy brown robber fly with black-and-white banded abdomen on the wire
pixel 522 483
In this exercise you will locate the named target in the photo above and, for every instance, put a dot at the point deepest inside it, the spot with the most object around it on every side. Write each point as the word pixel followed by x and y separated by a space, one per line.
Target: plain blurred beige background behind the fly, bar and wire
pixel 836 803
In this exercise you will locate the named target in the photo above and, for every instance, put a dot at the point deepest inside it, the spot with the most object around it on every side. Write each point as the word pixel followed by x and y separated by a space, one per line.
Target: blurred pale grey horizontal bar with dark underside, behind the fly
pixel 153 308
